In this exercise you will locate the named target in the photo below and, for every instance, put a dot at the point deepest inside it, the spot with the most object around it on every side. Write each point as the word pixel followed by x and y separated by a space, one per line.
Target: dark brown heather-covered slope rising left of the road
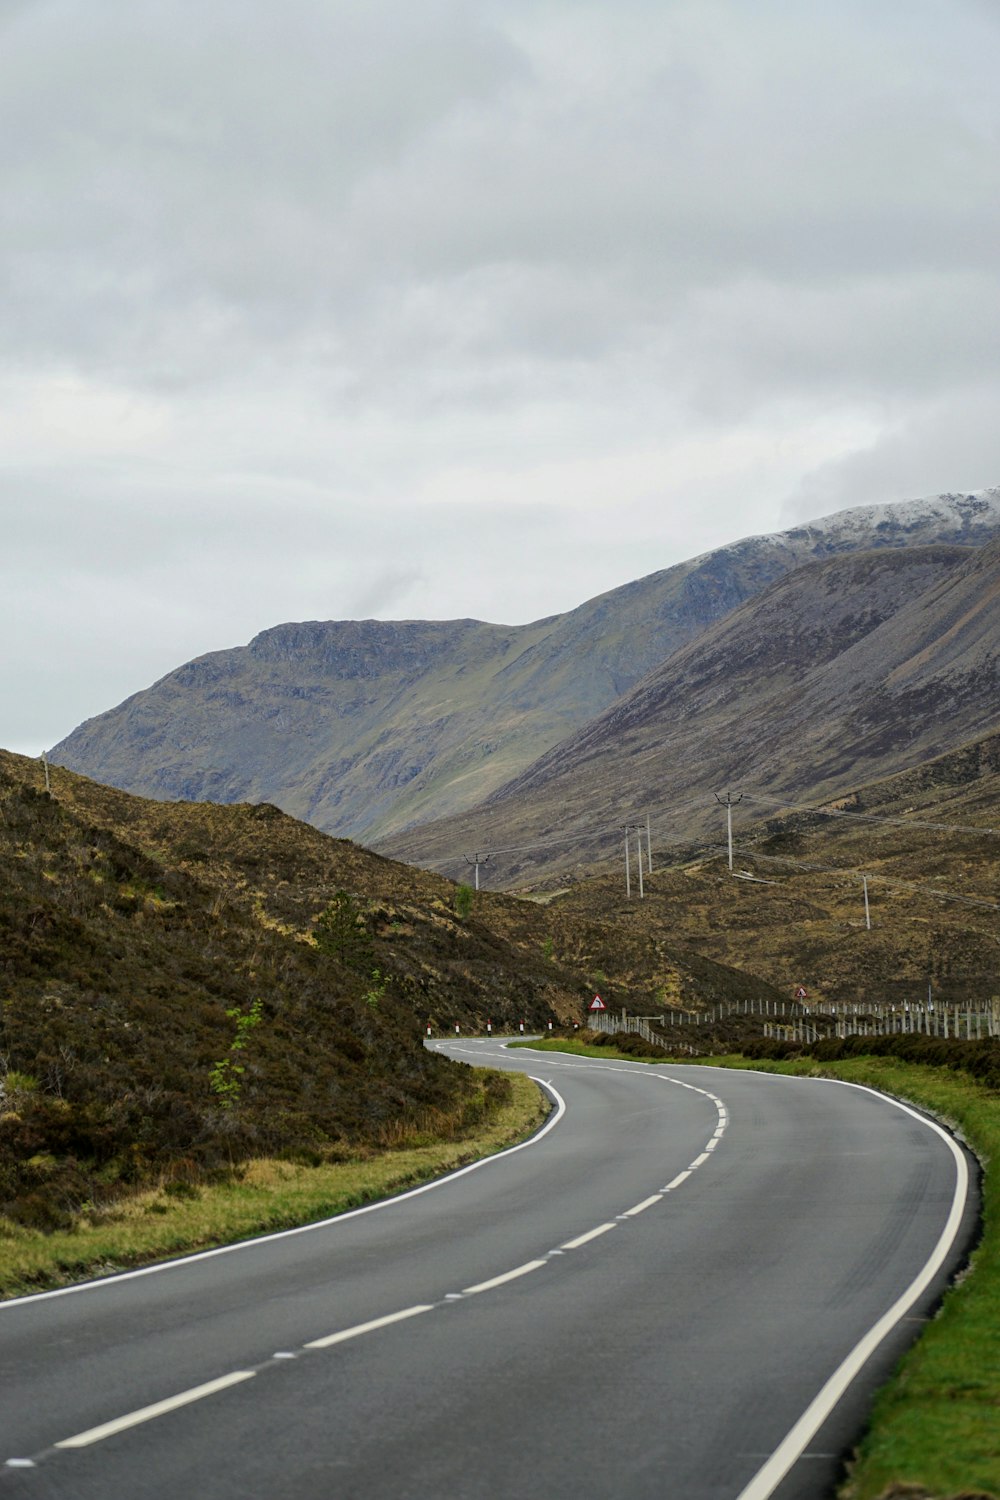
pixel 136 940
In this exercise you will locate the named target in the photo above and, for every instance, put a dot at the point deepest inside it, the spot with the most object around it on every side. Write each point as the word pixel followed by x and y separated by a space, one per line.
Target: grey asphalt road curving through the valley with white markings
pixel 671 1292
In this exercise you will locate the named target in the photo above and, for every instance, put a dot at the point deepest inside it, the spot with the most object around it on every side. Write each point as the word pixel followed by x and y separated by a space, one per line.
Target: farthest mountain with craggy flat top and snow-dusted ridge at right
pixel 367 728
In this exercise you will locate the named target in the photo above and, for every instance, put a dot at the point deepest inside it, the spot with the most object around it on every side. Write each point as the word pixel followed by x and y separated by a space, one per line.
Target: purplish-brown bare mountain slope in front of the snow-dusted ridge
pixel 842 673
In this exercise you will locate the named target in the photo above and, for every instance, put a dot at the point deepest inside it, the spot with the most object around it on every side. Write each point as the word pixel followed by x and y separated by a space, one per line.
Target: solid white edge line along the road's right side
pixel 770 1477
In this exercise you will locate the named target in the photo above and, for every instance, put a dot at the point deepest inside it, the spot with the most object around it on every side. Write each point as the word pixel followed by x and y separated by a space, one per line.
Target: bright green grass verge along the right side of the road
pixel 936 1426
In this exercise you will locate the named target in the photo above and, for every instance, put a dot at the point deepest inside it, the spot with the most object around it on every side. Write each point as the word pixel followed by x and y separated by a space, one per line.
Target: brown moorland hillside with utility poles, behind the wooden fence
pixel 929 842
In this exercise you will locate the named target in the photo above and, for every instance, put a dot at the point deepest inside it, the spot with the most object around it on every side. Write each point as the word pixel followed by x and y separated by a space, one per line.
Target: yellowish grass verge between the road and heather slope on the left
pixel 262 1198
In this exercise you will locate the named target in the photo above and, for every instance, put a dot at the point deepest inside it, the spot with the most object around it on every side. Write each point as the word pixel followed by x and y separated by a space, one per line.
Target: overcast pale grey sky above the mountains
pixel 439 308
